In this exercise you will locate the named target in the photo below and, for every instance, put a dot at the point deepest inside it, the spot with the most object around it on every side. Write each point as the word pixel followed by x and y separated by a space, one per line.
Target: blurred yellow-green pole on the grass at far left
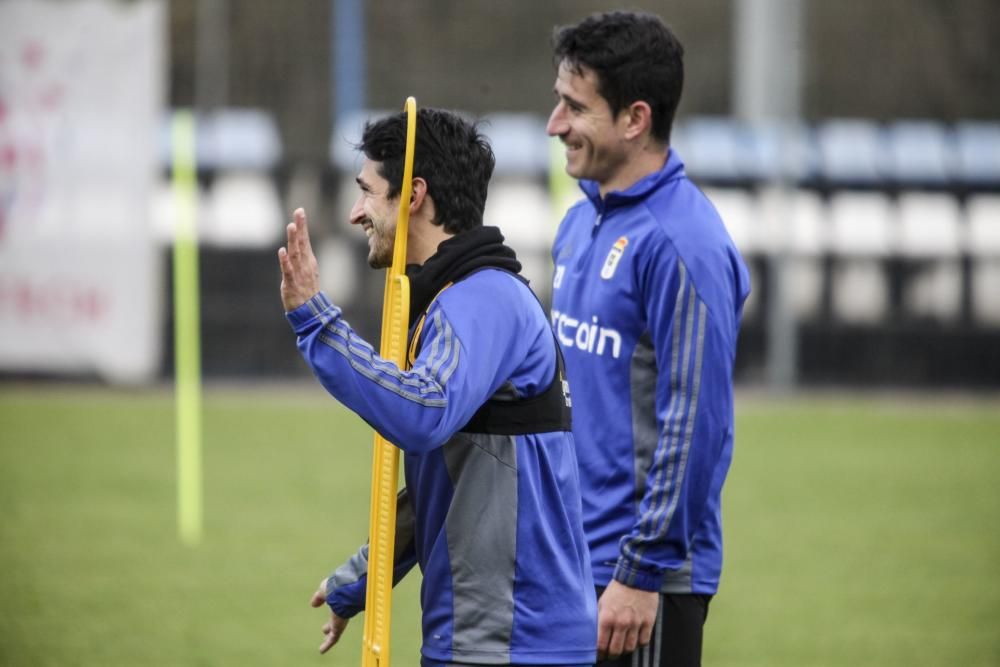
pixel 187 326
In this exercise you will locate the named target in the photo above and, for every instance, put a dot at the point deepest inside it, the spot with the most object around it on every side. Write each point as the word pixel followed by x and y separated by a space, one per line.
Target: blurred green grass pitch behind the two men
pixel 859 532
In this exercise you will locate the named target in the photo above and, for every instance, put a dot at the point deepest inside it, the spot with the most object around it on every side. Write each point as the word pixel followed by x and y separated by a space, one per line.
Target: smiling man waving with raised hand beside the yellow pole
pixel 491 508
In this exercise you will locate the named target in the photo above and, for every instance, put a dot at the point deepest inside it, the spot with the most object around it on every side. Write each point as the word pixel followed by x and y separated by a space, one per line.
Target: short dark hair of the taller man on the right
pixel 635 57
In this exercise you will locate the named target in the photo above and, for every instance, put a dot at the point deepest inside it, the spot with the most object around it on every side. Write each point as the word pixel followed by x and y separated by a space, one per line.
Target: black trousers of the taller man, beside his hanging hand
pixel 676 639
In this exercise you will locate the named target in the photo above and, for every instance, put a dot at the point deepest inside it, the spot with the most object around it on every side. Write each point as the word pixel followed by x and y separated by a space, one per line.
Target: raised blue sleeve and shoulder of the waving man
pixel 475 335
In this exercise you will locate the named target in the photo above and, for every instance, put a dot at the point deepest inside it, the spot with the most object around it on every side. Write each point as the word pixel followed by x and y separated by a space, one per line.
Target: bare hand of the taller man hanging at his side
pixel 625 619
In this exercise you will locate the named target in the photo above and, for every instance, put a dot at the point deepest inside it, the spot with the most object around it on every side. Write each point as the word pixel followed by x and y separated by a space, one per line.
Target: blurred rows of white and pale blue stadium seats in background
pixel 890 232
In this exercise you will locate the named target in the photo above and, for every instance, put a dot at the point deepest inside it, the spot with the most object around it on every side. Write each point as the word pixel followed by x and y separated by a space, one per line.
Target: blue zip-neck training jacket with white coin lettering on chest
pixel 648 292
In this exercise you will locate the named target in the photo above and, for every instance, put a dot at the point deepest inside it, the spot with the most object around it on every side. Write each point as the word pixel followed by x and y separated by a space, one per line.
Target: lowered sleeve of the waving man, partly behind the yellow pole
pixel 347 587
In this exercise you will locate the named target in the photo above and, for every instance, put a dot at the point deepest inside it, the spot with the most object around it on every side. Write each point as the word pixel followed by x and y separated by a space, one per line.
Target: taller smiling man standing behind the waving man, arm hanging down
pixel 647 297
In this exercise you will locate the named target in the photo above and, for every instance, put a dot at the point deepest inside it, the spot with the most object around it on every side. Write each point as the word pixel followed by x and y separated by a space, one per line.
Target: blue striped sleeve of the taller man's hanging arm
pixel 694 359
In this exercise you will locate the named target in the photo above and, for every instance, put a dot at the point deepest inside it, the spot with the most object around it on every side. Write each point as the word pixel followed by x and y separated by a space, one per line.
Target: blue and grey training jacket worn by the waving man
pixel 494 521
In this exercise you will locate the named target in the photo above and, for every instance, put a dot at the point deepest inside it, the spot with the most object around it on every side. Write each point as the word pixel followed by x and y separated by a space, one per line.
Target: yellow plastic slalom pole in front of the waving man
pixel 385 461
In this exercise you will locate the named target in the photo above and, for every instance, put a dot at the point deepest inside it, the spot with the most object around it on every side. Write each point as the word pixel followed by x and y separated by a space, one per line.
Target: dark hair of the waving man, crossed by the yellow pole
pixel 450 154
